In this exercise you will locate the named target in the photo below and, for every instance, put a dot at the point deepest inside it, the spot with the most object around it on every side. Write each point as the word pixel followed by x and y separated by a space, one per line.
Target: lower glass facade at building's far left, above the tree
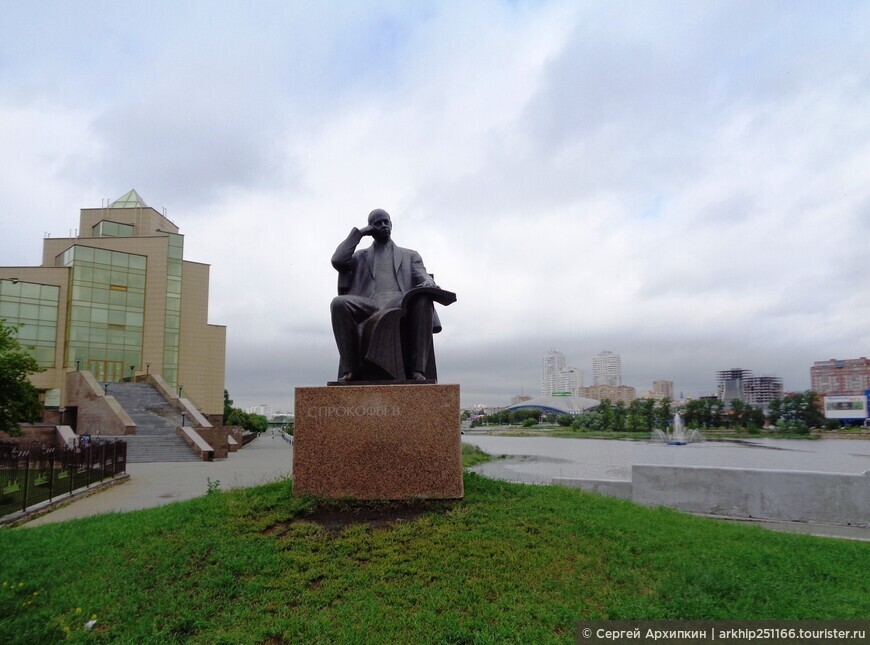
pixel 34 307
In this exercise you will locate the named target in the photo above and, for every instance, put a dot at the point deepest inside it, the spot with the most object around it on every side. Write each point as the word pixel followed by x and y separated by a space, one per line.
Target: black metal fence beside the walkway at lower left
pixel 35 474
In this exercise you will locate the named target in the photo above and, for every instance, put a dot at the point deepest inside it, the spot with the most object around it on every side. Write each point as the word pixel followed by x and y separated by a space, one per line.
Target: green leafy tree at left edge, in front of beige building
pixel 19 399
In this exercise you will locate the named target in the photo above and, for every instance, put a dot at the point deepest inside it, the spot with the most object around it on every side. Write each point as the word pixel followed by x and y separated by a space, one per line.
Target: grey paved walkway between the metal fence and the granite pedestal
pixel 266 459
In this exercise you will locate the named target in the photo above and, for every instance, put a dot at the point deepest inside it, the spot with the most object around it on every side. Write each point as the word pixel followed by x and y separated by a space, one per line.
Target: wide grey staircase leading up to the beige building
pixel 156 420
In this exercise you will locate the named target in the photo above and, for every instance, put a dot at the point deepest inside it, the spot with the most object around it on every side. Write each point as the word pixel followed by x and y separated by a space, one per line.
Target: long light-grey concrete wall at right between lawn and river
pixel 786 495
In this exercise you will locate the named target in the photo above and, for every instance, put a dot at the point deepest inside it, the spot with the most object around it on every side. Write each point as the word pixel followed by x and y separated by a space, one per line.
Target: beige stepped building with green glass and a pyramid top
pixel 119 301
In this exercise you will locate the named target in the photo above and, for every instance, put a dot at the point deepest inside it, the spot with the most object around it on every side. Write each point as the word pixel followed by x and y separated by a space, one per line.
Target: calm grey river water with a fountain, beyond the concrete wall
pixel 540 459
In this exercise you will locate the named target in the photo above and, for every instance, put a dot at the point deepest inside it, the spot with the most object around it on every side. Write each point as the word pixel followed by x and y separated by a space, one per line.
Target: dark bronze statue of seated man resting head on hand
pixel 383 318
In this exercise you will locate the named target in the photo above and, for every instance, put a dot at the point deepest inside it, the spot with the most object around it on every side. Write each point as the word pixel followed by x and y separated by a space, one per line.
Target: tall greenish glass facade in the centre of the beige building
pixel 106 312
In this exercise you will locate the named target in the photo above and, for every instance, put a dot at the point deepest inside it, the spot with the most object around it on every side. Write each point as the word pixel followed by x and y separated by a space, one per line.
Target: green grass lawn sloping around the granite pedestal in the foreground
pixel 509 563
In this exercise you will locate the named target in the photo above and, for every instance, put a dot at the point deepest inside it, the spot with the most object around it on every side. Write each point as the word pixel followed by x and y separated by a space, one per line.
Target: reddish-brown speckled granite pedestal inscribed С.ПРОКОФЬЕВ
pixel 378 442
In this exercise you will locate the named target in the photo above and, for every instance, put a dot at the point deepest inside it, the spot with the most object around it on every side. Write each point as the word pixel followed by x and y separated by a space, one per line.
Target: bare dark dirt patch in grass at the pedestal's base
pixel 335 517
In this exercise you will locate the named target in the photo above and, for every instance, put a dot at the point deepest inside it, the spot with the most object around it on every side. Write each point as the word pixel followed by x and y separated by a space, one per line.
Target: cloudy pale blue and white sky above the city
pixel 684 183
